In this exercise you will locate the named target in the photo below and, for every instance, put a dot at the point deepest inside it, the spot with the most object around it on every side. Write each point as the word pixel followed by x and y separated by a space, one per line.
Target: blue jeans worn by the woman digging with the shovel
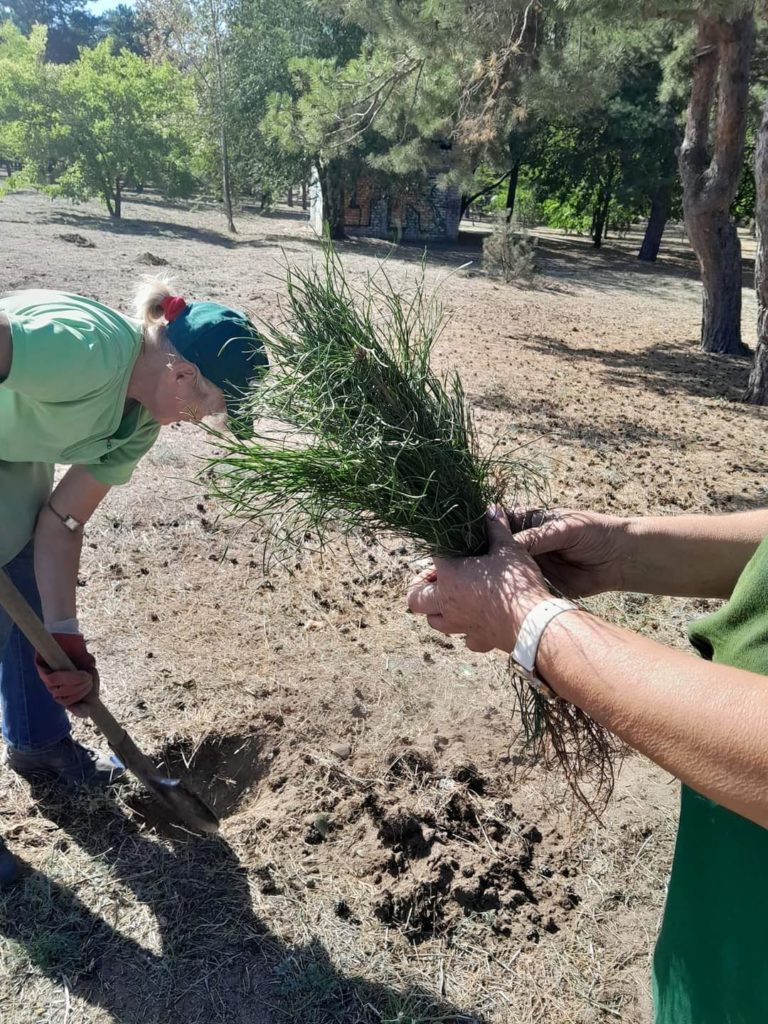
pixel 32 718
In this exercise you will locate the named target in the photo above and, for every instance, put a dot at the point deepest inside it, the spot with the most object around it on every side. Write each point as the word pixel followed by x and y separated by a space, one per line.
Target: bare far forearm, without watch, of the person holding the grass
pixel 691 556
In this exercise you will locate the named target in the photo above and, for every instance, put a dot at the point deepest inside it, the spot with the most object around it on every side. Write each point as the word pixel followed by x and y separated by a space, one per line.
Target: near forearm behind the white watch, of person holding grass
pixel 707 724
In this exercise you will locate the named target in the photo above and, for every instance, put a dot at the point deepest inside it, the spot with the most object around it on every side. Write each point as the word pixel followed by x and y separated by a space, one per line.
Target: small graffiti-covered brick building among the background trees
pixel 406 214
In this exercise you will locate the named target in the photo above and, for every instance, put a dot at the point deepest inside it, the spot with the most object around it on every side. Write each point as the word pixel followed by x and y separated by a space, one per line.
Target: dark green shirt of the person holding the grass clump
pixel 711 964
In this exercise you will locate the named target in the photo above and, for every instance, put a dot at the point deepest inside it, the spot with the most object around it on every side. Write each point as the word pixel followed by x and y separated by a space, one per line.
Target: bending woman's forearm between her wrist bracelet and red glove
pixel 57 565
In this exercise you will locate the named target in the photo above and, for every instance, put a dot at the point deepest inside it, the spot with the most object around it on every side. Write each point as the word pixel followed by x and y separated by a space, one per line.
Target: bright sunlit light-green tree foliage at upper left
pixel 91 127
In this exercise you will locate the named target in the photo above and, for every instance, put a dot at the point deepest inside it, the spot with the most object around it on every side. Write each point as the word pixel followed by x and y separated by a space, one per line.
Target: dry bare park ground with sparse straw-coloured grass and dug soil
pixel 383 857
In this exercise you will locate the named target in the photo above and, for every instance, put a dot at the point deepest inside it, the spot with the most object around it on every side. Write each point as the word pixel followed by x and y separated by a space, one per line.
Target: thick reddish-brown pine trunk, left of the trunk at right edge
pixel 711 172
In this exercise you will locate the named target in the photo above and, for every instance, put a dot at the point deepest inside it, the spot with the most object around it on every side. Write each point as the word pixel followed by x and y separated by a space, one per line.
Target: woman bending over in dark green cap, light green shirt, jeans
pixel 84 387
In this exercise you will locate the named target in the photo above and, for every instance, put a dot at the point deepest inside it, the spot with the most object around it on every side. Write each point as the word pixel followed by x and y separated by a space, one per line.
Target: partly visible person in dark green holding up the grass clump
pixel 704 719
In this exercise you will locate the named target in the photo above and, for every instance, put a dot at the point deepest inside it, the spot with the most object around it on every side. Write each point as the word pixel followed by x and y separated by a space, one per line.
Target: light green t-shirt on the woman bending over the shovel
pixel 64 403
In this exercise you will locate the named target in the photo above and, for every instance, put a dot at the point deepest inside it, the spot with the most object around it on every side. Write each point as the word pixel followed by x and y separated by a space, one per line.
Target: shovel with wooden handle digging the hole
pixel 177 799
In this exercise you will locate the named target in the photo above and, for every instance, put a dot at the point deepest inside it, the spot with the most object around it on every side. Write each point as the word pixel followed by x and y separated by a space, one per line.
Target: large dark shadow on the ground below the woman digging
pixel 216 961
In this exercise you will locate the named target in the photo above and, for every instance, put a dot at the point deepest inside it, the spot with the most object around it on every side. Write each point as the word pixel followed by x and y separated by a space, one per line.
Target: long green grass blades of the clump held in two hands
pixel 370 435
